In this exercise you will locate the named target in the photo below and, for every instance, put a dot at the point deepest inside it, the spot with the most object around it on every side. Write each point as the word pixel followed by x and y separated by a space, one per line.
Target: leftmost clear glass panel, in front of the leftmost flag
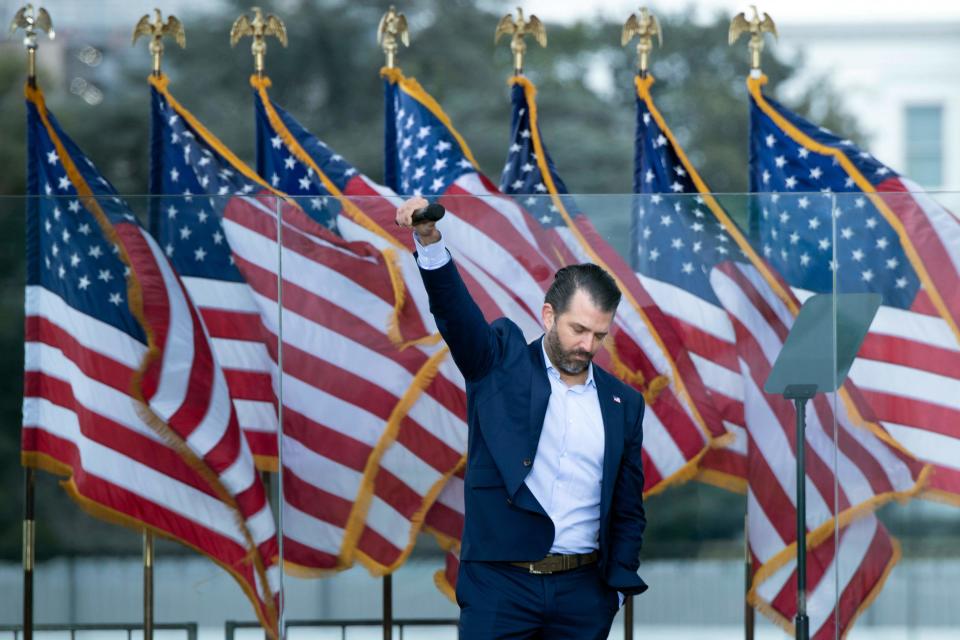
pixel 132 396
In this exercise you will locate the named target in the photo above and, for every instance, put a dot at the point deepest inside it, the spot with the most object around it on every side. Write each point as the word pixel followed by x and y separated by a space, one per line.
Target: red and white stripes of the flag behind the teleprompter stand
pixel 734 354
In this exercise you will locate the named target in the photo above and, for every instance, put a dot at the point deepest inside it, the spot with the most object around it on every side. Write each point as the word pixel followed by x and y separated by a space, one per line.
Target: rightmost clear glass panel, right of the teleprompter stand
pixel 904 247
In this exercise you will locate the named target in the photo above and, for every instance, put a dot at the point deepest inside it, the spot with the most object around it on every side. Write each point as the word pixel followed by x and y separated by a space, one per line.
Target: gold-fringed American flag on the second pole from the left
pixel 348 392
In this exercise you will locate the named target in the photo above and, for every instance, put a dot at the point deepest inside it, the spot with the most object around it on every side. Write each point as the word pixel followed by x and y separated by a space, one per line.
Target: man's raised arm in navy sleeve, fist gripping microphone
pixel 472 342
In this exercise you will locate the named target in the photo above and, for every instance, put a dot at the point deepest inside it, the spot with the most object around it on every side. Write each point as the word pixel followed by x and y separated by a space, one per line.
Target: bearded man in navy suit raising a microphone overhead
pixel 553 493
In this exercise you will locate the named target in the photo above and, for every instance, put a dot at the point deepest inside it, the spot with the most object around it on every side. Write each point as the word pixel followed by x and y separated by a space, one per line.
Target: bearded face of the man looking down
pixel 574 337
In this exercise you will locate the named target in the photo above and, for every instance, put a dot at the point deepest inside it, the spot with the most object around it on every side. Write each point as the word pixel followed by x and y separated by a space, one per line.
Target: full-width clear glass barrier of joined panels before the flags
pixel 374 428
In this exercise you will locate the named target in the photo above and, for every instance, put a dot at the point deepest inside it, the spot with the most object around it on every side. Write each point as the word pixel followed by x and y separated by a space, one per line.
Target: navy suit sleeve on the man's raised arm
pixel 472 342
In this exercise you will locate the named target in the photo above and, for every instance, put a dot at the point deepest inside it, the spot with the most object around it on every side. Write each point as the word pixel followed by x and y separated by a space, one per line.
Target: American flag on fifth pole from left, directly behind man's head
pixel 674 441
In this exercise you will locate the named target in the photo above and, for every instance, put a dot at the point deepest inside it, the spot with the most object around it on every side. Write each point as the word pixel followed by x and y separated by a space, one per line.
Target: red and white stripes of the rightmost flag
pixel 909 367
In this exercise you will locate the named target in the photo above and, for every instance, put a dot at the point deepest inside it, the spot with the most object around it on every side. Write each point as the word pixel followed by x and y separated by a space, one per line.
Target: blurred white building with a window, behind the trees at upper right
pixel 900 81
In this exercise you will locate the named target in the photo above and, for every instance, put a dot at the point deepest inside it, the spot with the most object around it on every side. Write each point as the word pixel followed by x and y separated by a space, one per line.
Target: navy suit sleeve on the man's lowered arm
pixel 628 519
